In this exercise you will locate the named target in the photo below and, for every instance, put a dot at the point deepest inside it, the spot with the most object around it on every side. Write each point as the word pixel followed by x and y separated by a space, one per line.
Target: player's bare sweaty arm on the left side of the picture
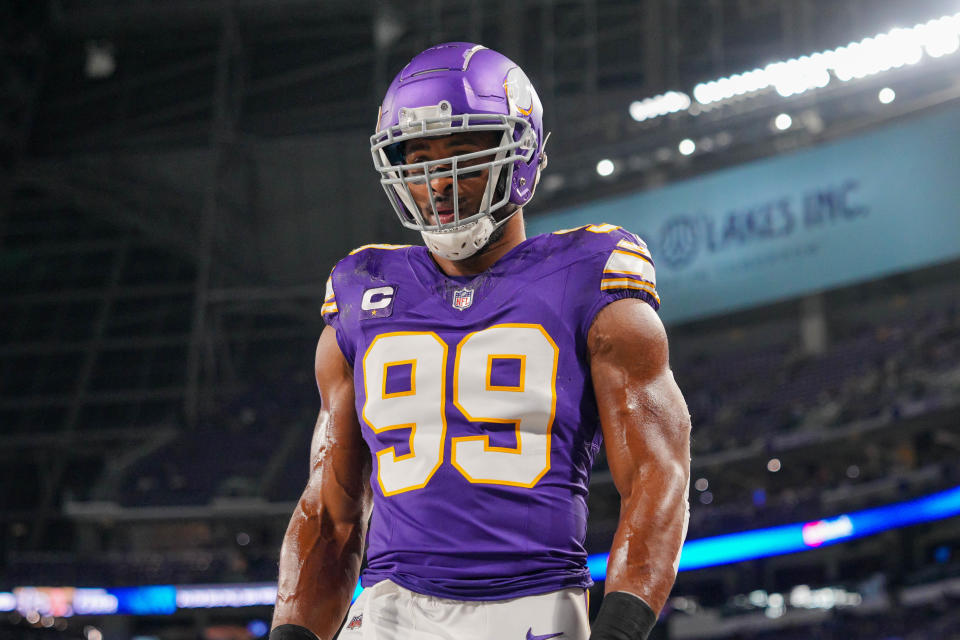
pixel 323 546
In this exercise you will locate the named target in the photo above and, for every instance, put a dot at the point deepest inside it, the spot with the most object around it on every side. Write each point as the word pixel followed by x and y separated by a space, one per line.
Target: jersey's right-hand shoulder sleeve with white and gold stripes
pixel 622 268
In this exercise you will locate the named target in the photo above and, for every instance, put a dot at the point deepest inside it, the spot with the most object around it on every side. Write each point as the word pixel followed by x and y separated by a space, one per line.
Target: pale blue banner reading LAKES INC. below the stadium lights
pixel 884 202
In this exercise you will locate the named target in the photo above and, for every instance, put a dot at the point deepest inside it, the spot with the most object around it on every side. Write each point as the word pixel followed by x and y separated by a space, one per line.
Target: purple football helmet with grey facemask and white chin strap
pixel 453 88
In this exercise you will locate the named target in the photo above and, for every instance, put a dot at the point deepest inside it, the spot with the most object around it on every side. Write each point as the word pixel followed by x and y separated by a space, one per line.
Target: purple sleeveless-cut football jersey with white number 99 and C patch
pixel 474 396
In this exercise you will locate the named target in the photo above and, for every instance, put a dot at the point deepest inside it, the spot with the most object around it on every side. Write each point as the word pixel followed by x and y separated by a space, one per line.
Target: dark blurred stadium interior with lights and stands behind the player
pixel 178 176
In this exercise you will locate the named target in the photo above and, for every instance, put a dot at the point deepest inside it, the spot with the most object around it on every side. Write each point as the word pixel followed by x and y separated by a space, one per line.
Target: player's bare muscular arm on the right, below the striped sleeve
pixel 646 428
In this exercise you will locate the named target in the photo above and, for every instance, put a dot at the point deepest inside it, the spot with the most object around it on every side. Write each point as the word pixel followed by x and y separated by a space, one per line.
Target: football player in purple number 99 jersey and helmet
pixel 468 385
